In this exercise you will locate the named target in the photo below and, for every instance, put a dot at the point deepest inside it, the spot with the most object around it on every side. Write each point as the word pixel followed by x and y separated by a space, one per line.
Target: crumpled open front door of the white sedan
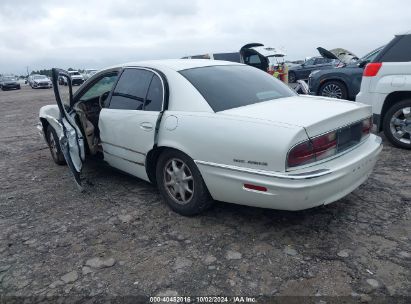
pixel 70 137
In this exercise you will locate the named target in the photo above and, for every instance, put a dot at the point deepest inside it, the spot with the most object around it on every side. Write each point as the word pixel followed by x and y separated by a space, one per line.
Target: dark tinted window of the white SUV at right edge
pixel 398 50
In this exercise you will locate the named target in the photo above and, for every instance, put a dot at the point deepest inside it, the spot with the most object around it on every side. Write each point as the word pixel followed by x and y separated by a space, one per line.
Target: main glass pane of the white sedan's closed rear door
pixel 131 90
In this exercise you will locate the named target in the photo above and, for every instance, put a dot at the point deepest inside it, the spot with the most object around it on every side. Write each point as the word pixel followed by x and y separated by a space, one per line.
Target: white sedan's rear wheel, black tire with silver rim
pixel 180 183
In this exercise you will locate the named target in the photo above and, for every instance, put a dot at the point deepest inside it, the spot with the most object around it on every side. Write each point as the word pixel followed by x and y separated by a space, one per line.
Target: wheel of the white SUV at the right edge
pixel 397 124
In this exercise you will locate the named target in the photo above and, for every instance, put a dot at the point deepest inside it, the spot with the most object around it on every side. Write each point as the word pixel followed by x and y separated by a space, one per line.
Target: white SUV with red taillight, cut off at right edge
pixel 386 86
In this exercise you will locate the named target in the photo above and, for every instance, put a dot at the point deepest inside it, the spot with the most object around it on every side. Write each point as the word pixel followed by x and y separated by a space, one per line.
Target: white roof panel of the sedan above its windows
pixel 177 64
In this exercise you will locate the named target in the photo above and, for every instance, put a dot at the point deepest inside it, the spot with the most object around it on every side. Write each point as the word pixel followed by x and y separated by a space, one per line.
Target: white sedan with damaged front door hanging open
pixel 206 130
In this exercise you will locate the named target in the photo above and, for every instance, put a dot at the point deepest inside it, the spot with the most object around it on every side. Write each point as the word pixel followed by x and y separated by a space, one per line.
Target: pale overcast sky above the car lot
pixel 97 33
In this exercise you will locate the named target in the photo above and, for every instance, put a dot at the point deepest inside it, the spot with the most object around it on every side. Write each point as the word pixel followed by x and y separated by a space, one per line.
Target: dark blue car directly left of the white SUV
pixel 343 82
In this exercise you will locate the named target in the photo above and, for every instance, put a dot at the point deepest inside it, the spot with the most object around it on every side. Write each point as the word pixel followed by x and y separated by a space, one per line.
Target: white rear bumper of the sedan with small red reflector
pixel 318 185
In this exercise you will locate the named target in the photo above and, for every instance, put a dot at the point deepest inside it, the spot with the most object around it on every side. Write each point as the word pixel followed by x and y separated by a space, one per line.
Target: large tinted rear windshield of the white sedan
pixel 227 87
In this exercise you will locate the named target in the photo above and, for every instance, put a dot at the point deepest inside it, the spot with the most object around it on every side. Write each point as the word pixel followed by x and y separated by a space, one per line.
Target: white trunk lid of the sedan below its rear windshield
pixel 316 114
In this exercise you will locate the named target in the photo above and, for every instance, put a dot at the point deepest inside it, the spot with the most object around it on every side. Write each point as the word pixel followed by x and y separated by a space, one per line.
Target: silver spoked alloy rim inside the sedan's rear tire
pixel 178 180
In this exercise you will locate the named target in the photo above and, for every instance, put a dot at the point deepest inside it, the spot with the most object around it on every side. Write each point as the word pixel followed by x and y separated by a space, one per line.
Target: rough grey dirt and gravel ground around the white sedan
pixel 119 238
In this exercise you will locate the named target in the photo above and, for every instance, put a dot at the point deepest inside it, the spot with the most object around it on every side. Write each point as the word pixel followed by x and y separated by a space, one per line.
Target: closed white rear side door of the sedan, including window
pixel 128 123
